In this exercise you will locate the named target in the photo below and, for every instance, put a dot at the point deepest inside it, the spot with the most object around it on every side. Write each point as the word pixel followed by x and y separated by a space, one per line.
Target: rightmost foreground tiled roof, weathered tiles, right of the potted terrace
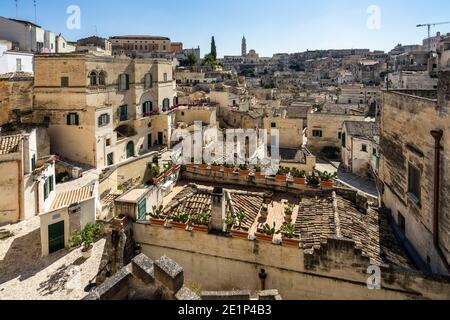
pixel 371 231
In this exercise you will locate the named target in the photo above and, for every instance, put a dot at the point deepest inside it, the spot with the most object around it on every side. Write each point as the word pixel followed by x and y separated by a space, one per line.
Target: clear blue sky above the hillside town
pixel 270 25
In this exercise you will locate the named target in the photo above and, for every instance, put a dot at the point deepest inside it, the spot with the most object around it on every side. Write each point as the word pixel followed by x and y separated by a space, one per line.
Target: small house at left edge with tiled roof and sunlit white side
pixel 27 174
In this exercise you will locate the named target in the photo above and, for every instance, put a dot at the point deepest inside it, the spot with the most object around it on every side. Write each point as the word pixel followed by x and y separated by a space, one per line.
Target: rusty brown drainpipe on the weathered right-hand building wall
pixel 437 135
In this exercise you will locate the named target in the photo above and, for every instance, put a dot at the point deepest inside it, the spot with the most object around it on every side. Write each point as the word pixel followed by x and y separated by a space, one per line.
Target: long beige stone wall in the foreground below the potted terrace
pixel 337 270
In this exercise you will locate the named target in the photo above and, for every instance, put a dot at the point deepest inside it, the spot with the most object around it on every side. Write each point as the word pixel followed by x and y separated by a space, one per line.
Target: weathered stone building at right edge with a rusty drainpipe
pixel 414 169
